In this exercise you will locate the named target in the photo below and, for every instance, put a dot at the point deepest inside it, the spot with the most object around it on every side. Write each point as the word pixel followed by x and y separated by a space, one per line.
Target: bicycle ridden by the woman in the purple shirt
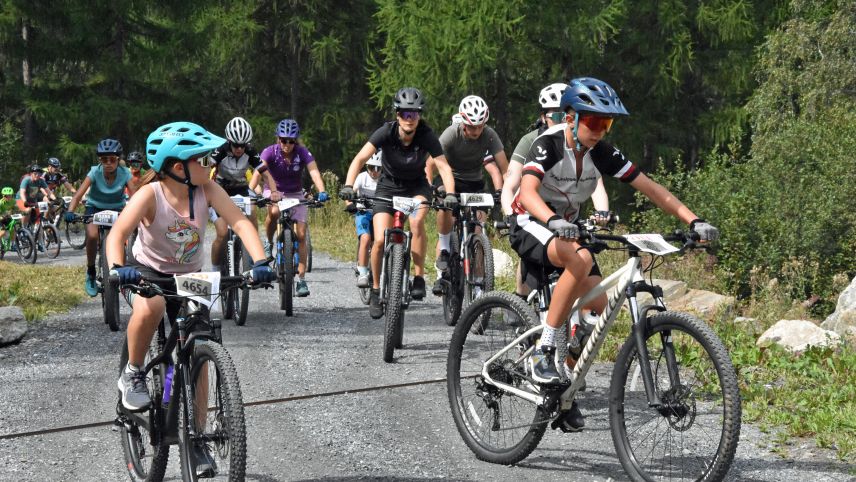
pixel 285 256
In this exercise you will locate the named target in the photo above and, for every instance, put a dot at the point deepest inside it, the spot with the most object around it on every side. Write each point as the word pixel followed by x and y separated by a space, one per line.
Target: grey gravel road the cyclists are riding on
pixel 64 374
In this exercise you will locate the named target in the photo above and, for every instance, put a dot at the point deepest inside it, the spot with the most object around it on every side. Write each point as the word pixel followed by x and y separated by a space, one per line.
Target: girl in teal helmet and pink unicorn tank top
pixel 170 214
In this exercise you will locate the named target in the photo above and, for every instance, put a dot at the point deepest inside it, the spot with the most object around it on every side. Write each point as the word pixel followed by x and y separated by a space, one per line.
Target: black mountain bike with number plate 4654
pixel 187 368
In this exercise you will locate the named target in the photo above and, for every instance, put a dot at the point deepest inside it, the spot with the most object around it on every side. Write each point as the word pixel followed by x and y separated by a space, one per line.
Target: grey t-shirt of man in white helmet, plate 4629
pixel 466 156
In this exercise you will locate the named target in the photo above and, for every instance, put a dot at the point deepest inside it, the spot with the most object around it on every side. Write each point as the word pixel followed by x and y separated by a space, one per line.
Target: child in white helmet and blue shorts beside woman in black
pixel 365 186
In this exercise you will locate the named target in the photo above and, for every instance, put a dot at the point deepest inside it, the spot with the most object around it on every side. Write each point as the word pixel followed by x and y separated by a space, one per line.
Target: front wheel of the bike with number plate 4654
pixel 218 417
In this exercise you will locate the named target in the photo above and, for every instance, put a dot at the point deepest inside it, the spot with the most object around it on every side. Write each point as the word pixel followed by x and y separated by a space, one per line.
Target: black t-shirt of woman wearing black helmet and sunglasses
pixel 406 163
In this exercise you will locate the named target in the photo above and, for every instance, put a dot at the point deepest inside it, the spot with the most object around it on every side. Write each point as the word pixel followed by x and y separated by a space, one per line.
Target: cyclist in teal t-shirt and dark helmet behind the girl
pixel 106 184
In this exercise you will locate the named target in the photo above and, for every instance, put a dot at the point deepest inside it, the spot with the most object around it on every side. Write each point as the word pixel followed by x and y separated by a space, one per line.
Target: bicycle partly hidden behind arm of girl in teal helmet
pixel 235 302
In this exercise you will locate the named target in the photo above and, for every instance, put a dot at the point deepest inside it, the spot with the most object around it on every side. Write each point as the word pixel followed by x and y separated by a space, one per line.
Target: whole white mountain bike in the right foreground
pixel 674 404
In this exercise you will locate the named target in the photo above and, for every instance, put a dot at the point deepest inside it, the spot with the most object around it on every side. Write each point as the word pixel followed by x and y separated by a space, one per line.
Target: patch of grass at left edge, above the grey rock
pixel 40 290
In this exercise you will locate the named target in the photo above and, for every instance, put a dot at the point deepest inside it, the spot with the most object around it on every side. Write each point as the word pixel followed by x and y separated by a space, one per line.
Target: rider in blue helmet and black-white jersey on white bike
pixel 560 172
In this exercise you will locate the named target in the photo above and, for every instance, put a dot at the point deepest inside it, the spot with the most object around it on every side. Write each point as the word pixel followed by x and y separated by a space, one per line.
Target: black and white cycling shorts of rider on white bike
pixel 530 242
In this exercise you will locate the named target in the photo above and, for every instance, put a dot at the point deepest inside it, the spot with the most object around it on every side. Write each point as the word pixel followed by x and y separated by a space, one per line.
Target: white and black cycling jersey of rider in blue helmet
pixel 553 162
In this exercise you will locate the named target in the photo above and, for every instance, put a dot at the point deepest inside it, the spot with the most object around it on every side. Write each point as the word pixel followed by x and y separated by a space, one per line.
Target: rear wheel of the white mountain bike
pixel 498 426
